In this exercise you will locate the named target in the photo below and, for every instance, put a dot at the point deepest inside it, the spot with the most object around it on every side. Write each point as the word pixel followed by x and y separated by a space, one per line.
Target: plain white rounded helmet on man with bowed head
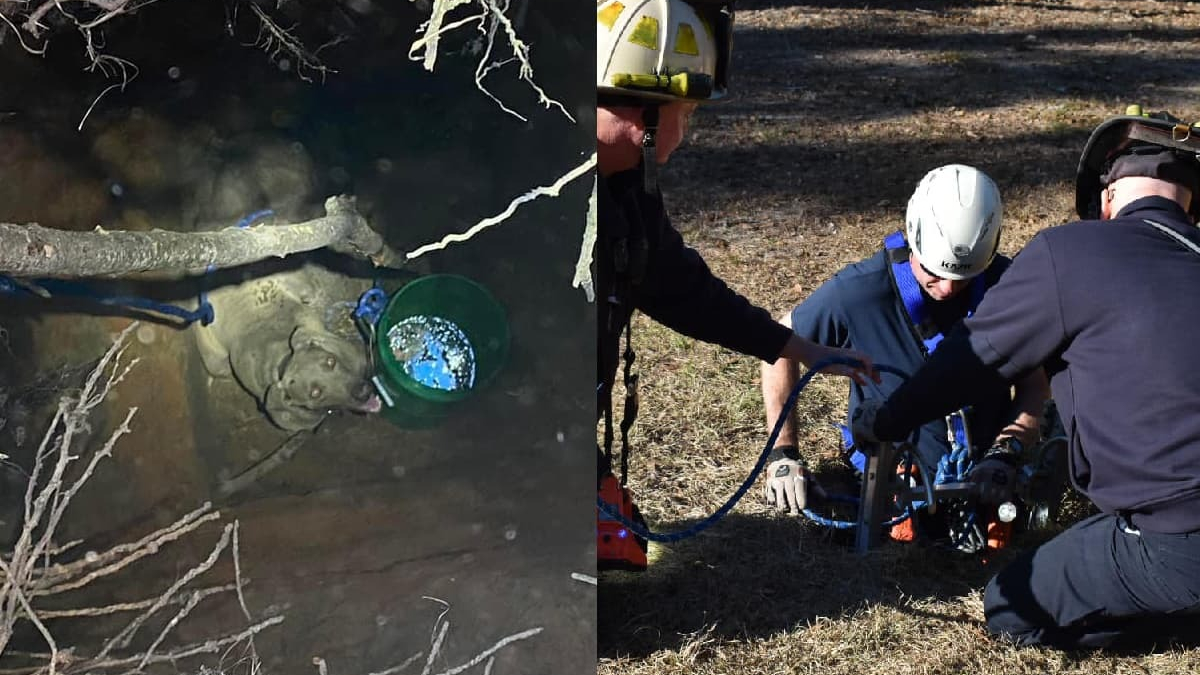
pixel 955 222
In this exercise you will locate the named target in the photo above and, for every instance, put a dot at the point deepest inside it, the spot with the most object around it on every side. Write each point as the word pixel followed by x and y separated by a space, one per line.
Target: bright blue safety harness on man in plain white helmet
pixel 953 467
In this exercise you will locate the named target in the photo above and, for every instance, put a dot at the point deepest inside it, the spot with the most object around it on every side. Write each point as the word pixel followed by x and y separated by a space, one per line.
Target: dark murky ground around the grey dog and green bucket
pixel 485 512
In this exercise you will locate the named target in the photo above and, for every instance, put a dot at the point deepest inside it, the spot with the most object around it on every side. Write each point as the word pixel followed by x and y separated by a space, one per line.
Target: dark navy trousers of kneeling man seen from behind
pixel 1100 584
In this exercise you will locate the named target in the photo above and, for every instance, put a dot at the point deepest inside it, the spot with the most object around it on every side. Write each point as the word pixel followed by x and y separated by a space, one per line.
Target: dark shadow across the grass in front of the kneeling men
pixel 752 577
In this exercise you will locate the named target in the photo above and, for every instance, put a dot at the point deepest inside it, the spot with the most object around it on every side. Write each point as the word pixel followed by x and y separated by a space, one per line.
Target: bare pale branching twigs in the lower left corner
pixel 32 571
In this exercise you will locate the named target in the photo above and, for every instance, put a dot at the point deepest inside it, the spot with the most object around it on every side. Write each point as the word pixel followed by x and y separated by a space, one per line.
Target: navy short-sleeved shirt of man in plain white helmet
pixel 860 308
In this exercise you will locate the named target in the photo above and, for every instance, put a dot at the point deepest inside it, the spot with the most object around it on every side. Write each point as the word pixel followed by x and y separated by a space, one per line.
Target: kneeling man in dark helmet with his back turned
pixel 1107 307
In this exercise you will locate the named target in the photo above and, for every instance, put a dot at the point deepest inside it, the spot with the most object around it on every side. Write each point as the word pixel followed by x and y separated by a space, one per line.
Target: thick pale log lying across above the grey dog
pixel 37 252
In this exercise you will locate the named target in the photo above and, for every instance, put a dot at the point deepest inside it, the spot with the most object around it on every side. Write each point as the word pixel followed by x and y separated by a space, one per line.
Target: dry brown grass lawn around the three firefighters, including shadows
pixel 841 110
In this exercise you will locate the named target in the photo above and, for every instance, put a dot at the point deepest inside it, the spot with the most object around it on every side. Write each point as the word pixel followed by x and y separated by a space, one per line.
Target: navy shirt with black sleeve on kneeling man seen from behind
pixel 1113 312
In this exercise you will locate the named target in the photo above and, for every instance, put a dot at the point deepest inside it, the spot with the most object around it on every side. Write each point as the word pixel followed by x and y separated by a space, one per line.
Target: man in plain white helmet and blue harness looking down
pixel 897 307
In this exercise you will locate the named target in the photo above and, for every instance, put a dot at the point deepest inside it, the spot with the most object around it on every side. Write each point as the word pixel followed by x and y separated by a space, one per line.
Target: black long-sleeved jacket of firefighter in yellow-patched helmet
pixel 667 280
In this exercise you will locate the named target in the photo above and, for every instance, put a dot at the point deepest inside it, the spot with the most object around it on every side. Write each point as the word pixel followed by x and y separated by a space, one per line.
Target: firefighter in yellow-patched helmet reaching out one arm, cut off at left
pixel 657 61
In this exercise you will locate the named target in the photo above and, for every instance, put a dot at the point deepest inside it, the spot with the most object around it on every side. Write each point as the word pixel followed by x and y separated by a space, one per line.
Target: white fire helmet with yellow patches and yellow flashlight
pixel 664 50
